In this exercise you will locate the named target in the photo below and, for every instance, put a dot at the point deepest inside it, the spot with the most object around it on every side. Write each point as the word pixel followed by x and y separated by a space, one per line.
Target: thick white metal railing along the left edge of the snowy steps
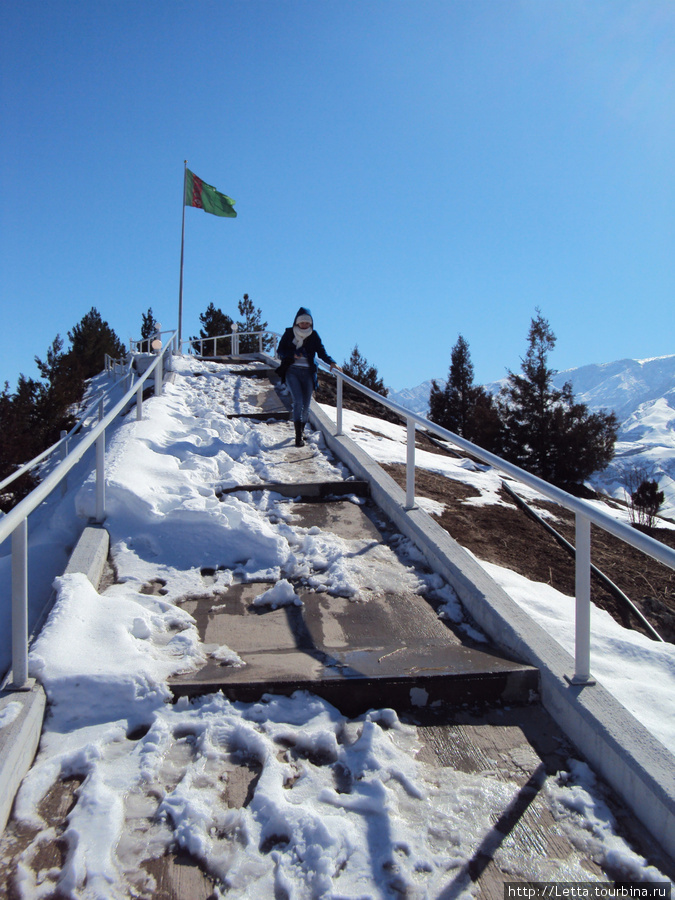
pixel 15 523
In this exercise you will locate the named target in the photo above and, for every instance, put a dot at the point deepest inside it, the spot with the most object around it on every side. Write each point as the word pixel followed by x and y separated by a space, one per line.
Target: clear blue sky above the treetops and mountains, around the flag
pixel 409 169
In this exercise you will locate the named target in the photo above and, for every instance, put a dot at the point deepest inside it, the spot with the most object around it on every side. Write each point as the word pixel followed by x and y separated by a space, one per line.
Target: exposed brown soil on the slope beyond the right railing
pixel 508 536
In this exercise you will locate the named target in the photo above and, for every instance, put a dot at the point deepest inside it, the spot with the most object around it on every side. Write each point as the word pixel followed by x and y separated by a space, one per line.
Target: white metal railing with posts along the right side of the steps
pixel 585 514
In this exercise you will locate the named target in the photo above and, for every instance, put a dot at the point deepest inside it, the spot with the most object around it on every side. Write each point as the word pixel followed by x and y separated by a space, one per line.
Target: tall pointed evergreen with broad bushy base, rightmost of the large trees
pixel 545 431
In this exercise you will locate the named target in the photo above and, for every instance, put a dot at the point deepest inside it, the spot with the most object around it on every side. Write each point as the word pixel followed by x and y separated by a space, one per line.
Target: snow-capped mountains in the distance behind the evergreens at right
pixel 642 394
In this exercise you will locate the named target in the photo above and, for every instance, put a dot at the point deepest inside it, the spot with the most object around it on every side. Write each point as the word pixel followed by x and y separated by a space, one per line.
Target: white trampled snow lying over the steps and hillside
pixel 341 808
